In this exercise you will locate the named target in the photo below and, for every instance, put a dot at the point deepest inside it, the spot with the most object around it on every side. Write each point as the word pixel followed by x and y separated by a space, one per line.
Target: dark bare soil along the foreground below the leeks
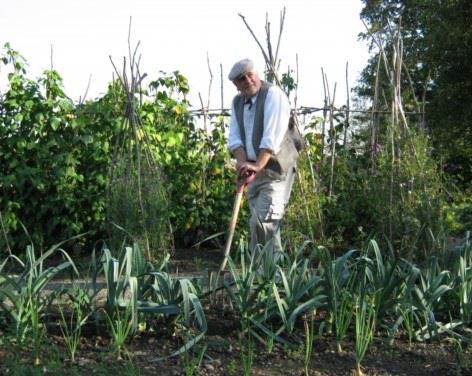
pixel 223 356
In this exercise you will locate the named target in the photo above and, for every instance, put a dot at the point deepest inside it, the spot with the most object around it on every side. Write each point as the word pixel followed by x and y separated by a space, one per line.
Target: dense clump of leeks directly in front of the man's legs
pixel 264 293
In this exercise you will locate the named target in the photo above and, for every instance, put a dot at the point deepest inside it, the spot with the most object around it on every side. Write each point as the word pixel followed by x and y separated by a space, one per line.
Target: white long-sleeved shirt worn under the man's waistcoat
pixel 276 118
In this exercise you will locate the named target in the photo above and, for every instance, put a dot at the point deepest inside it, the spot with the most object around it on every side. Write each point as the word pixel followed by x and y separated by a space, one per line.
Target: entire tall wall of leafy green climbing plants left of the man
pixel 184 194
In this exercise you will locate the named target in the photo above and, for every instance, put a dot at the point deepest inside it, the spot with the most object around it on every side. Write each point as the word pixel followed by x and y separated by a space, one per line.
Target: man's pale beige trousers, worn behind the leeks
pixel 268 199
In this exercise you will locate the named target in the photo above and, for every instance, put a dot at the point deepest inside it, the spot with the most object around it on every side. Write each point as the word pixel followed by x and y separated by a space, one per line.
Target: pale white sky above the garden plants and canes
pixel 179 35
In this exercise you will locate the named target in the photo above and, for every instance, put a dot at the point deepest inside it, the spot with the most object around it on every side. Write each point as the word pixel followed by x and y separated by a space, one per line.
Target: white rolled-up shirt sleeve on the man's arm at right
pixel 276 118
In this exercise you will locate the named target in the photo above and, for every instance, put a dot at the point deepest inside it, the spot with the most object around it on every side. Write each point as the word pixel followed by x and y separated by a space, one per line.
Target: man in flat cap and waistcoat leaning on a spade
pixel 260 140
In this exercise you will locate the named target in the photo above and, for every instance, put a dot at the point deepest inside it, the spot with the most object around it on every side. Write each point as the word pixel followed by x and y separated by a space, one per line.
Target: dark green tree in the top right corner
pixel 437 38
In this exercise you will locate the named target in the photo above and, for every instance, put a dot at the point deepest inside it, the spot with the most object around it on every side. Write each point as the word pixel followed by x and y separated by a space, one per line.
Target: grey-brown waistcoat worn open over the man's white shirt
pixel 286 158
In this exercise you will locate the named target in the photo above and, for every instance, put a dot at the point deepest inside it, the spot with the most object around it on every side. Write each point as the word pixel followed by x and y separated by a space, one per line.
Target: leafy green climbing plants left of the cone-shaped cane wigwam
pixel 53 159
